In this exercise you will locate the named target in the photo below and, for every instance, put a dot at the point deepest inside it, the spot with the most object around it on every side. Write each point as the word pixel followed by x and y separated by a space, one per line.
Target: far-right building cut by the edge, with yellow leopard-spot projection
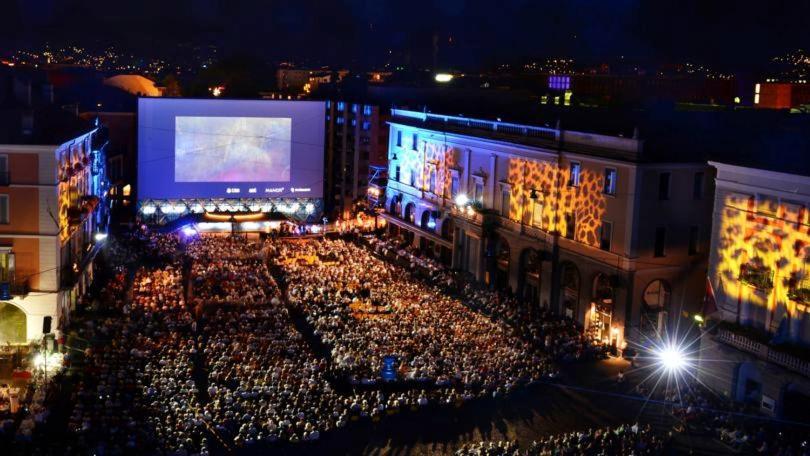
pixel 759 271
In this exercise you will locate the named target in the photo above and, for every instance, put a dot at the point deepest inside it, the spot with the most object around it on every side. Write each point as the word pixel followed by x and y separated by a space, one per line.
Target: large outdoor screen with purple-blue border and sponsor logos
pixel 229 148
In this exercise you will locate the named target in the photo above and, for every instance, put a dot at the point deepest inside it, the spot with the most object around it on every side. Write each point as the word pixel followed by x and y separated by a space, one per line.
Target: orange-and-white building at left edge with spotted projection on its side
pixel 51 212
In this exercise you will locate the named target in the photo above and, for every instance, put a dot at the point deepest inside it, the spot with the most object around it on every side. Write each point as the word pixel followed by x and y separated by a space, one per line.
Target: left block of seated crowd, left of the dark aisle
pixel 136 389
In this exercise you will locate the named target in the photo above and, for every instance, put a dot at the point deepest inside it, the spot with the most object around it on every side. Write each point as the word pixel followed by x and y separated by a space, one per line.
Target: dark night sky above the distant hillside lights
pixel 466 32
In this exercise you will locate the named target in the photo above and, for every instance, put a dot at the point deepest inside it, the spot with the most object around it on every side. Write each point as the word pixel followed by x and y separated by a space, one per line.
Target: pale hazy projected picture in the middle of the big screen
pixel 232 149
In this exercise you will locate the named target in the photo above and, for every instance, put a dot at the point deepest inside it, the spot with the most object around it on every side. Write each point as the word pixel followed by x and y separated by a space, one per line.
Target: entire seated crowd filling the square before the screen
pixel 162 378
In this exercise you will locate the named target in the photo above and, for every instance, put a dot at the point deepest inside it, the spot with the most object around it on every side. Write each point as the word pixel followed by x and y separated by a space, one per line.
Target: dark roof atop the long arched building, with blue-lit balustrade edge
pixel 772 140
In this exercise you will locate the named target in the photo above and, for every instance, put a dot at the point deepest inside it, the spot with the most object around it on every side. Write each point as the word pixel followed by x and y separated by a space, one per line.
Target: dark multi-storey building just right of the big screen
pixel 356 150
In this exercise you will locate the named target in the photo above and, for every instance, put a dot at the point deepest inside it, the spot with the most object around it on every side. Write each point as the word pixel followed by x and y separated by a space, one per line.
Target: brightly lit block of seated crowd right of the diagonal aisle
pixel 436 340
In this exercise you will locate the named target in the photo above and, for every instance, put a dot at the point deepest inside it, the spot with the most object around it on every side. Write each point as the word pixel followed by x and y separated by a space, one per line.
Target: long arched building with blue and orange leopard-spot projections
pixel 583 224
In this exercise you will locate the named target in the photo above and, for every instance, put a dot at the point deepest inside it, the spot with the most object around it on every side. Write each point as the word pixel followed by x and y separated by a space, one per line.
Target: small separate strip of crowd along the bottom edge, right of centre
pixel 624 440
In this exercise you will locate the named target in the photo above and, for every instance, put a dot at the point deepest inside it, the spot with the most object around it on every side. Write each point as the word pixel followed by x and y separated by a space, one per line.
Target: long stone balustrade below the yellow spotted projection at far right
pixel 745 340
